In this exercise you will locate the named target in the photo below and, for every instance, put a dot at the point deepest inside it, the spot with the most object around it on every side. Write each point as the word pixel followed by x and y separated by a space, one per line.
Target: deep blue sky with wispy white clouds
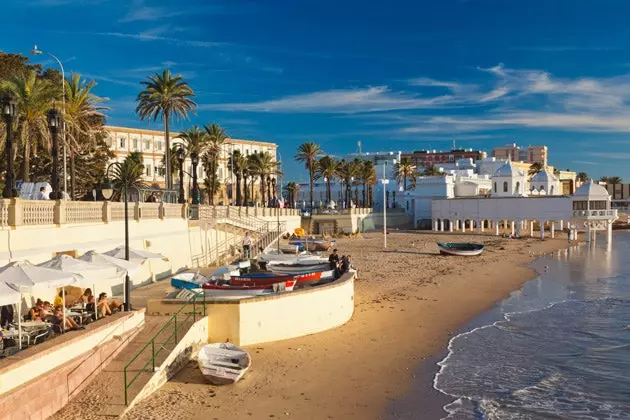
pixel 396 75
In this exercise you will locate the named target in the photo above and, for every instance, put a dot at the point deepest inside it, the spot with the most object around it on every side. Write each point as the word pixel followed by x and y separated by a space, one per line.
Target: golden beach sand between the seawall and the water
pixel 409 301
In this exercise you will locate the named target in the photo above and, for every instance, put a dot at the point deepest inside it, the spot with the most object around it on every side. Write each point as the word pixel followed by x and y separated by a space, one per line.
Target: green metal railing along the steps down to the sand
pixel 176 324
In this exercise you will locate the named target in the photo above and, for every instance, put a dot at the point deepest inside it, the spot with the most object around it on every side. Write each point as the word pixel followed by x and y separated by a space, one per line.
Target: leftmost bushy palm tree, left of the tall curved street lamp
pixel 34 97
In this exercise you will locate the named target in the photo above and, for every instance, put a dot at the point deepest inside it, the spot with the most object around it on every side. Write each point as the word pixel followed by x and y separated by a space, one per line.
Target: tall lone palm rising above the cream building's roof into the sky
pixel 165 96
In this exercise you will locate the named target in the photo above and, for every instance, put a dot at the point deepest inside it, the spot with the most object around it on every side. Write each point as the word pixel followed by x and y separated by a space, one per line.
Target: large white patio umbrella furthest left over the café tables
pixel 25 276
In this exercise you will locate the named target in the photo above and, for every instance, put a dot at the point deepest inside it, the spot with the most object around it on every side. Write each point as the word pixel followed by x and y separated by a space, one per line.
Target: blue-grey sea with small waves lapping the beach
pixel 558 348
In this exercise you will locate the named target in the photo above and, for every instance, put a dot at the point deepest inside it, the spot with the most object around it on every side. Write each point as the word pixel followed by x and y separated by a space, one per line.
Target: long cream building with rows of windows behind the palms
pixel 123 141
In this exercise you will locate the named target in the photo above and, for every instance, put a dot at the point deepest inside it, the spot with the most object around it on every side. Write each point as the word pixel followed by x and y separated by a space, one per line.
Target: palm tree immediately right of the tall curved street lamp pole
pixel 83 118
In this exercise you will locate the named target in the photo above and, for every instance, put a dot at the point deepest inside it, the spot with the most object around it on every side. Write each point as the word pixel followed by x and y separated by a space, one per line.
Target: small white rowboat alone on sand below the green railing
pixel 223 363
